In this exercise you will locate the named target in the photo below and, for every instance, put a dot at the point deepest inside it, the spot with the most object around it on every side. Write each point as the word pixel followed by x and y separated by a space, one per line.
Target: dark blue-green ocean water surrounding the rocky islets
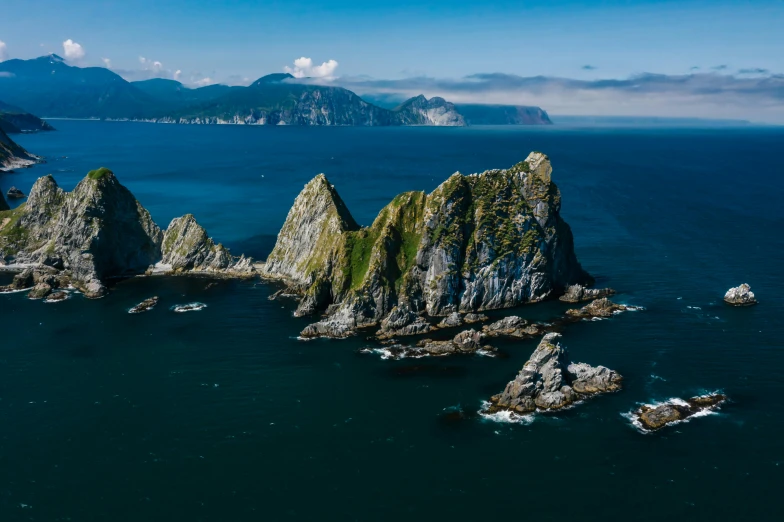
pixel 222 415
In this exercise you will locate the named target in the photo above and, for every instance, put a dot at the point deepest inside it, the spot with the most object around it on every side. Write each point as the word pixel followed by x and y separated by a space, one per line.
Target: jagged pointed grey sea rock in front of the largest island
pixel 549 382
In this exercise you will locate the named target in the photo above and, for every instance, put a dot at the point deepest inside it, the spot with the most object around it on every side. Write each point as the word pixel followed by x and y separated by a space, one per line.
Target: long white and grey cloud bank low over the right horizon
pixel 702 95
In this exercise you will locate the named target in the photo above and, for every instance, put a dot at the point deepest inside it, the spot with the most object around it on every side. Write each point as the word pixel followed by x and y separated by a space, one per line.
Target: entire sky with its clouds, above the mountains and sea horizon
pixel 694 58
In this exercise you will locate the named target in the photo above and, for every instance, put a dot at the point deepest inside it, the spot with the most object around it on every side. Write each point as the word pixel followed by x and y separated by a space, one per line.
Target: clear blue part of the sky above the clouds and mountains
pixel 233 41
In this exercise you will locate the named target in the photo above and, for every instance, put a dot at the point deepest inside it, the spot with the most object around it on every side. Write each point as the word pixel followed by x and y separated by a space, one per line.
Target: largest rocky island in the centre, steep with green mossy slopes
pixel 478 242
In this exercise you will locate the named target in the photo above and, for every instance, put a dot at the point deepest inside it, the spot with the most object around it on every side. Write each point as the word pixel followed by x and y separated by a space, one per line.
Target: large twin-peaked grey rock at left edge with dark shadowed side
pixel 97 231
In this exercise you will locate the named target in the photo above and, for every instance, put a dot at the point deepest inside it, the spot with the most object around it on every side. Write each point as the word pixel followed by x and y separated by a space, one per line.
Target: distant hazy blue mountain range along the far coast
pixel 49 87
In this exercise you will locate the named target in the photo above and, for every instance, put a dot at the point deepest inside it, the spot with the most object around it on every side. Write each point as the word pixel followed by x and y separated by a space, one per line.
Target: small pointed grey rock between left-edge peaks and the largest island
pixel 186 247
